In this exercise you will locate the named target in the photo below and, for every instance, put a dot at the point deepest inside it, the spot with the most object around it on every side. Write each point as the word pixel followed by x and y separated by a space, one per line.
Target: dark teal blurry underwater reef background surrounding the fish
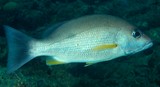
pixel 32 16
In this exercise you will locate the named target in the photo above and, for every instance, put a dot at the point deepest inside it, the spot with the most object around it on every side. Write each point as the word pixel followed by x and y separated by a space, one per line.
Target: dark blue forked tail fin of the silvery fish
pixel 18 49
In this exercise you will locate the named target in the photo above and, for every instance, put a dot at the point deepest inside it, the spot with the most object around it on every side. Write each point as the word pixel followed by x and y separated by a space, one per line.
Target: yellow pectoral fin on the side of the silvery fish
pixel 105 46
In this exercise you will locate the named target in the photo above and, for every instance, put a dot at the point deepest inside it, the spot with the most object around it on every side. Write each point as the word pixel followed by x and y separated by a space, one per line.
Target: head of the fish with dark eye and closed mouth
pixel 132 40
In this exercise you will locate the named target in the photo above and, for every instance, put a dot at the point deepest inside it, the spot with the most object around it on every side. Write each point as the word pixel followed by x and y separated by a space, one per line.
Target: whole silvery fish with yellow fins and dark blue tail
pixel 88 39
